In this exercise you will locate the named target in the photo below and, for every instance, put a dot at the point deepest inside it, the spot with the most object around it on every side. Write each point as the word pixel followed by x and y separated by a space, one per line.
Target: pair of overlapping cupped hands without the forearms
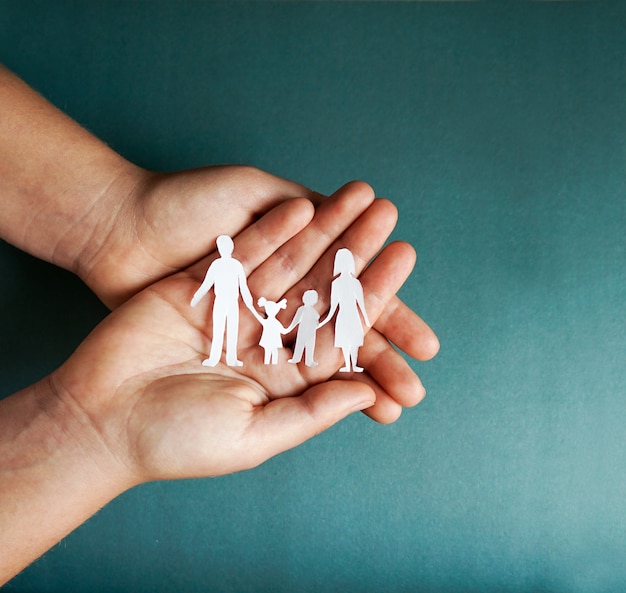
pixel 136 382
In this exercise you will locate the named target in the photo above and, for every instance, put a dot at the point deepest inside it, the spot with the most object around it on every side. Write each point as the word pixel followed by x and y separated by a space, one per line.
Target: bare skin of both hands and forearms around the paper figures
pixel 134 403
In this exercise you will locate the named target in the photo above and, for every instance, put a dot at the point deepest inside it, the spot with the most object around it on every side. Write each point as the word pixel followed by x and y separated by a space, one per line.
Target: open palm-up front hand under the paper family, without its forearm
pixel 138 377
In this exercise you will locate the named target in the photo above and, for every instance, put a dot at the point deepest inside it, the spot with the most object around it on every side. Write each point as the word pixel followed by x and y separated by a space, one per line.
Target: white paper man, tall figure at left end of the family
pixel 227 278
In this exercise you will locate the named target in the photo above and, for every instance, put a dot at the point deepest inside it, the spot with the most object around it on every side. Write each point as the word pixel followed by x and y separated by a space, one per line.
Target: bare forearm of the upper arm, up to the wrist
pixel 61 189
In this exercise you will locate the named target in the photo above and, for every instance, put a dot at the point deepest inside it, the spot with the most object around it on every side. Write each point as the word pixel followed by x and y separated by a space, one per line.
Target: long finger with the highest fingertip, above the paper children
pixel 309 248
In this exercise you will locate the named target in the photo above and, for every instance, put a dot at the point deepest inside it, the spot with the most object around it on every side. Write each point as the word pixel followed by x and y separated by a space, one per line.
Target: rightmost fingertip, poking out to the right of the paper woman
pixel 402 326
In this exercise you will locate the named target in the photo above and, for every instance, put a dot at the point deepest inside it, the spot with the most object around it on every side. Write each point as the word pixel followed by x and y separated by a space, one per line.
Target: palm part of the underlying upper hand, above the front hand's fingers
pixel 162 223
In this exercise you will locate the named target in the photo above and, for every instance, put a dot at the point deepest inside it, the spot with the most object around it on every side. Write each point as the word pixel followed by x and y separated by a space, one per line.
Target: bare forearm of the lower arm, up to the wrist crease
pixel 54 474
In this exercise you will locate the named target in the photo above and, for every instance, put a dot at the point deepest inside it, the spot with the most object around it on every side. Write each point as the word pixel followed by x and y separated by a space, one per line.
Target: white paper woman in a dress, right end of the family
pixel 346 298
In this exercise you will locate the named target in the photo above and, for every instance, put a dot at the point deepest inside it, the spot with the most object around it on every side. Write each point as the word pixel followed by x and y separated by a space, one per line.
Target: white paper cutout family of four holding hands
pixel 227 278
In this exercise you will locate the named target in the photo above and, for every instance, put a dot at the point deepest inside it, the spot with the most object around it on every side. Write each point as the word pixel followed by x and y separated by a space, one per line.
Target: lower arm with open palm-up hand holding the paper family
pixel 134 403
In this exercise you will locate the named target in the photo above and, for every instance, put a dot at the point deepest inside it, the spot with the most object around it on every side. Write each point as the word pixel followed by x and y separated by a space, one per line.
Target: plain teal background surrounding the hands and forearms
pixel 499 130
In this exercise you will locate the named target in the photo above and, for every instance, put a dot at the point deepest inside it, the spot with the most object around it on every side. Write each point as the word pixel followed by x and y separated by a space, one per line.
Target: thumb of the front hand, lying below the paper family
pixel 287 422
